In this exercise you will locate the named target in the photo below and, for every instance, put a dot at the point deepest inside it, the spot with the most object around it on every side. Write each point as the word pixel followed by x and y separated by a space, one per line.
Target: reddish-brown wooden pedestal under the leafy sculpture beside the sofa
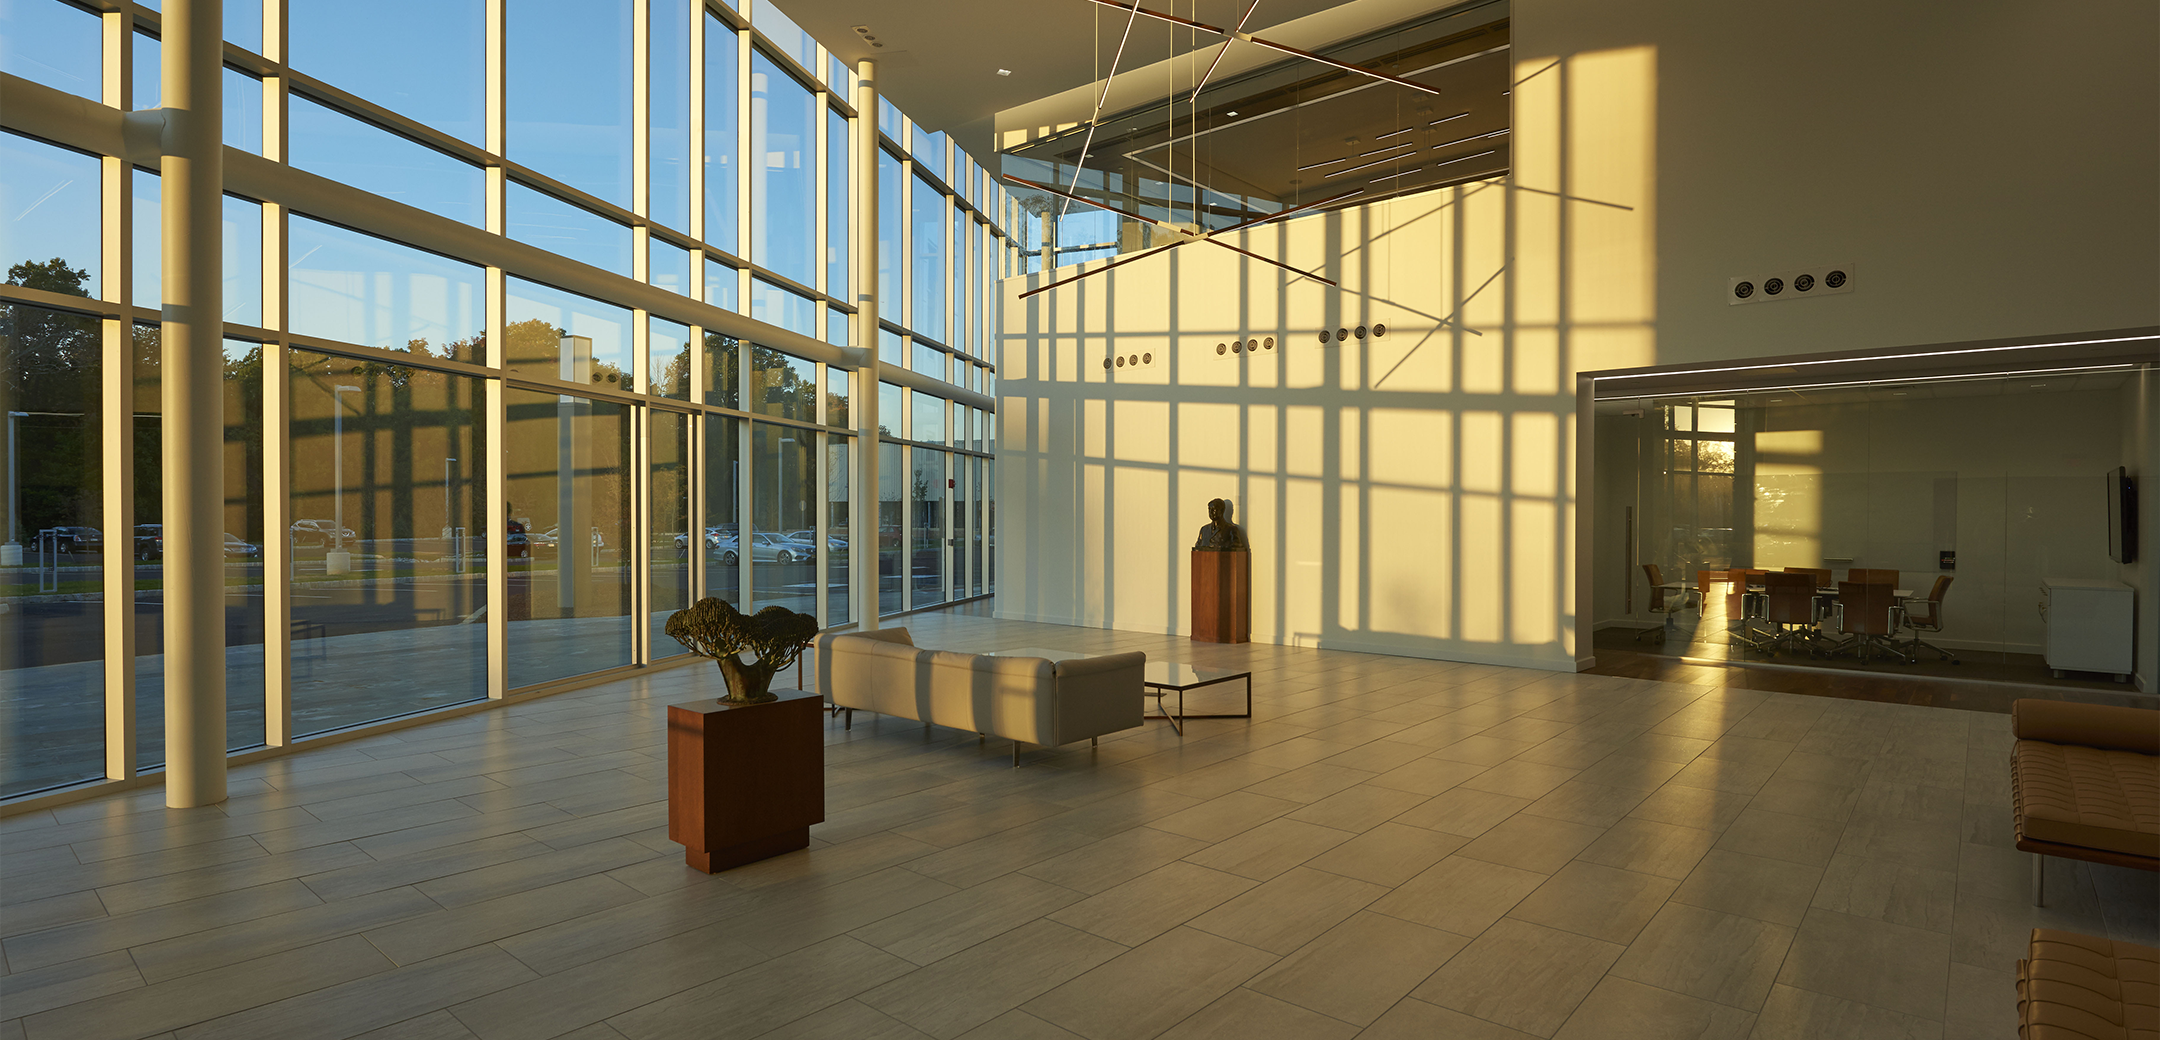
pixel 746 784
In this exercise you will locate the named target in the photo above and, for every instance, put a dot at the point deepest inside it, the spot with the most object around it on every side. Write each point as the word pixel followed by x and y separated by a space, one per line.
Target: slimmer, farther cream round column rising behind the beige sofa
pixel 863 522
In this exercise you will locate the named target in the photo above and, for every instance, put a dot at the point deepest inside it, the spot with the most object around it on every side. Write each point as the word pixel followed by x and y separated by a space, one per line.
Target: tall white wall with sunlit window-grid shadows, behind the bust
pixel 1986 170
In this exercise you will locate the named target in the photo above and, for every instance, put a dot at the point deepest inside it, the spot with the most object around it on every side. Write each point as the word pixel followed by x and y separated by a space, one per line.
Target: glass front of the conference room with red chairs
pixel 1908 505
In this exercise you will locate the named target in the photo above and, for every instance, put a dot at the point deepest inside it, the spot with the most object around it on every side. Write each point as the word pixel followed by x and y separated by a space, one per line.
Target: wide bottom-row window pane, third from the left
pixel 388 544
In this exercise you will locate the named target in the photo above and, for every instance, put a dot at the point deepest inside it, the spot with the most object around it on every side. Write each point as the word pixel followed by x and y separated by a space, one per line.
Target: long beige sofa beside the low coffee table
pixel 1023 699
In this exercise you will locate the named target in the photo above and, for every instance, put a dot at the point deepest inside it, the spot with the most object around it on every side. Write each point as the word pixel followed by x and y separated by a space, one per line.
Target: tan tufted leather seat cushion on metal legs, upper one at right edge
pixel 2088 797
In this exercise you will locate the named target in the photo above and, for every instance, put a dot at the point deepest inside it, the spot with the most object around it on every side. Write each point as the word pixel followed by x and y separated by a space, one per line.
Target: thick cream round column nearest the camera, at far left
pixel 193 341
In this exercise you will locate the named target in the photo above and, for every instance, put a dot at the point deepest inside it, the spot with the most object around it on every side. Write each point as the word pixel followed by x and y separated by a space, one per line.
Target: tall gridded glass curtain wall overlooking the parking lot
pixel 455 470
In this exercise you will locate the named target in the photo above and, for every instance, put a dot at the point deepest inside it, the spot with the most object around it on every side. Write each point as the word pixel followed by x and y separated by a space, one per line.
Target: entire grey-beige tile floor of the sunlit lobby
pixel 1392 849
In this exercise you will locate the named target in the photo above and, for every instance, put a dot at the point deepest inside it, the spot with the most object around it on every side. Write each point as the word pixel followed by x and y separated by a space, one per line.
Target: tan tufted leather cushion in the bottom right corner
pixel 2088 987
